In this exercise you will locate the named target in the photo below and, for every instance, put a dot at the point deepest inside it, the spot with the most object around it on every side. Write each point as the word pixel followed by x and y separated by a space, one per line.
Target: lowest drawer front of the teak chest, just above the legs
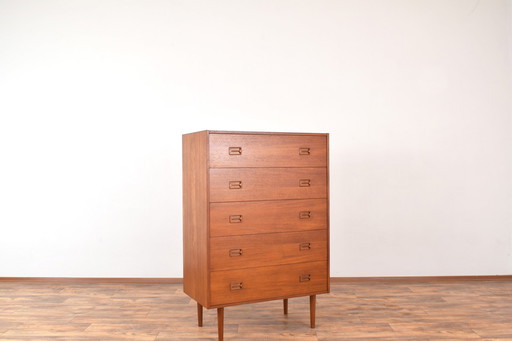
pixel 271 282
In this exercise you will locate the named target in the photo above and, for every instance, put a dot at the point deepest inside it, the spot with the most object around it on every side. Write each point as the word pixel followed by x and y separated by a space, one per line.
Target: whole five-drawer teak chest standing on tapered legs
pixel 255 218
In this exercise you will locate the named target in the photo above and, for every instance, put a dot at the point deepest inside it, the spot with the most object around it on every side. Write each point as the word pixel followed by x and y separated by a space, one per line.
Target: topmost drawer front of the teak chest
pixel 239 150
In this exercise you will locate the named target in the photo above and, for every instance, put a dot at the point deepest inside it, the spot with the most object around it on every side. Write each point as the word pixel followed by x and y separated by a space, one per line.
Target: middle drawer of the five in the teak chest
pixel 232 219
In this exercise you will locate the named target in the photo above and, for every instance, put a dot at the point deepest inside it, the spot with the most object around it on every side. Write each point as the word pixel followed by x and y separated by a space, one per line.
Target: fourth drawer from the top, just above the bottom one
pixel 239 252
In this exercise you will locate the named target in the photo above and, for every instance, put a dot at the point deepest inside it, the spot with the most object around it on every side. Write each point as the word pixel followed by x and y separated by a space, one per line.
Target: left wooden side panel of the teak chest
pixel 195 216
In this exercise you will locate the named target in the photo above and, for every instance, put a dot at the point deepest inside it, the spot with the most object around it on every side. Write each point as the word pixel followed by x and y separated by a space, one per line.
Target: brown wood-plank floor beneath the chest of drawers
pixel 437 310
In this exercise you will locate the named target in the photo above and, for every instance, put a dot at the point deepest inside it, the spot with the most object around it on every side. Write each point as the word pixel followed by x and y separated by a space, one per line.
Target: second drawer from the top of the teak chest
pixel 246 184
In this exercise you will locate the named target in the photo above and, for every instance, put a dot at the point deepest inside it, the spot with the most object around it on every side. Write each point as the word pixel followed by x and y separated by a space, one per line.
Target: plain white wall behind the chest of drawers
pixel 94 97
